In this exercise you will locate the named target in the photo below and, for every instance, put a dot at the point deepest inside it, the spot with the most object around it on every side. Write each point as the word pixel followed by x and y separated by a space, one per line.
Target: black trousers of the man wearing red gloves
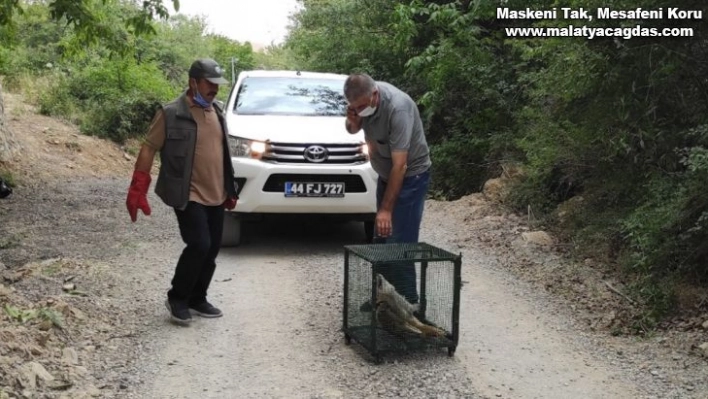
pixel 201 228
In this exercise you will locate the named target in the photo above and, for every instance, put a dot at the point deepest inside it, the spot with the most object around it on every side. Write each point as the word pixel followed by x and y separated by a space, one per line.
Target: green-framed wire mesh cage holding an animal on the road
pixel 401 297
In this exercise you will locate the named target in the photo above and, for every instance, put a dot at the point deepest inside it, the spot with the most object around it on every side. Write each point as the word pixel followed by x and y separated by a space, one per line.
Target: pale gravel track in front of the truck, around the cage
pixel 281 294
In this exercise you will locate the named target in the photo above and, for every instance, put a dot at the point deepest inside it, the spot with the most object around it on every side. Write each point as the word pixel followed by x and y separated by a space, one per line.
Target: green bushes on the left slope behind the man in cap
pixel 110 87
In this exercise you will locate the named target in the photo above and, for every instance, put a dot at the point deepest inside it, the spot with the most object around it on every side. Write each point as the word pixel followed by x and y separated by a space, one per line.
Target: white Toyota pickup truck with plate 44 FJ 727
pixel 291 152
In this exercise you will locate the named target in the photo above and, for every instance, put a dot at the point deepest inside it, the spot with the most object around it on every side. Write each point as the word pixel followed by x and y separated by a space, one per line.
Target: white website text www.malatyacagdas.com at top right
pixel 593 32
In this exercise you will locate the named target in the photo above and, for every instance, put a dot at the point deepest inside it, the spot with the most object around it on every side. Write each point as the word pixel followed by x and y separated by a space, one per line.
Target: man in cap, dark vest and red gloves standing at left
pixel 196 179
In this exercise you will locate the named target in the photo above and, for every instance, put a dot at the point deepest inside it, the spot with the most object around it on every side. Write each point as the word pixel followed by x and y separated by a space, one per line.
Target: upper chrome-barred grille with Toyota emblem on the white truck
pixel 313 153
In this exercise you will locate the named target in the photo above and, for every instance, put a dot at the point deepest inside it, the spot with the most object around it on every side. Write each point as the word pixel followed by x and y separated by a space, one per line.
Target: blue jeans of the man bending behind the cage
pixel 406 218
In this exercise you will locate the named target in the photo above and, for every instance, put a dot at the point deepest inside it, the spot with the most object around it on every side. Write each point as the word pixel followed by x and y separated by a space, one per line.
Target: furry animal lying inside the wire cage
pixel 397 316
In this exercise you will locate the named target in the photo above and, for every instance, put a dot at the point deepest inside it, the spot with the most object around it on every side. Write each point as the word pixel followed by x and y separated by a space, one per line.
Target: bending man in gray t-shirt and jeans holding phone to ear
pixel 400 156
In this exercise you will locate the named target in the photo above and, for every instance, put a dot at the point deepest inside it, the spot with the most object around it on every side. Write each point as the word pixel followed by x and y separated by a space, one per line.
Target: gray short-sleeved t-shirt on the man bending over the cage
pixel 396 126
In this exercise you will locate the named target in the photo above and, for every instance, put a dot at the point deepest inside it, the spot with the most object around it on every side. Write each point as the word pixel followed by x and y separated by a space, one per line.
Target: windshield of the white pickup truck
pixel 291 96
